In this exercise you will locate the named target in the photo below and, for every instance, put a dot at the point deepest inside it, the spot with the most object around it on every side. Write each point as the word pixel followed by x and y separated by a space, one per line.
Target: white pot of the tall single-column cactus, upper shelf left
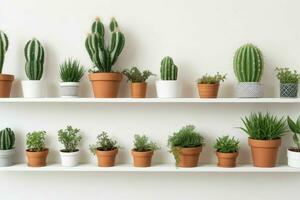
pixel 33 89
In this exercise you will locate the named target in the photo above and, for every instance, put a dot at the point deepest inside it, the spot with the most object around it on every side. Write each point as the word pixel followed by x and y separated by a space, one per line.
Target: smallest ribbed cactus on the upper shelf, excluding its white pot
pixel 168 70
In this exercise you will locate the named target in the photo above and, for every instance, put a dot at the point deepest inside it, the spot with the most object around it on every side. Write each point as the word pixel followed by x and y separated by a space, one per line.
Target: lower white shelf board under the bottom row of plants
pixel 155 168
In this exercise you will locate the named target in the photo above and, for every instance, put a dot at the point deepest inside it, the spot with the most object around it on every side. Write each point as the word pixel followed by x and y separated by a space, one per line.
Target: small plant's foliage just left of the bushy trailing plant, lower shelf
pixel 142 144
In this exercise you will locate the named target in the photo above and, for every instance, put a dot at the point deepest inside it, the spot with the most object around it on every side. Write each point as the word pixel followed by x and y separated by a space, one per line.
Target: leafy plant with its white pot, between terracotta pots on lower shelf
pixel 70 138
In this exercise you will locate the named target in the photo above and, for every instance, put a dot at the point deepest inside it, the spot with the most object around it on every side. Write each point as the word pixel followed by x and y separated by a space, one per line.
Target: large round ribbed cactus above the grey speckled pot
pixel 248 63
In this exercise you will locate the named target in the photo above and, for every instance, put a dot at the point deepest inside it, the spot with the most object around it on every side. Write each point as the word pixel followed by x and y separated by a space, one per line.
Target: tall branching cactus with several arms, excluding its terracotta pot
pixel 104 57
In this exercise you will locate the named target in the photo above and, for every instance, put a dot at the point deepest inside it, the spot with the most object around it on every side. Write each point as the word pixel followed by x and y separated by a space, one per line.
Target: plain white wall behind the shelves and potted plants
pixel 201 36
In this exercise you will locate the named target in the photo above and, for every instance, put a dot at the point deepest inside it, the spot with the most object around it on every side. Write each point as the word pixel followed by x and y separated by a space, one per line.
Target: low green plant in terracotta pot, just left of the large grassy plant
pixel 227 151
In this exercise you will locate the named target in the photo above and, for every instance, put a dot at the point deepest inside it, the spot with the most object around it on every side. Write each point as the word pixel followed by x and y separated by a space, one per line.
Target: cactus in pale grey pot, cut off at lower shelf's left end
pixel 7 150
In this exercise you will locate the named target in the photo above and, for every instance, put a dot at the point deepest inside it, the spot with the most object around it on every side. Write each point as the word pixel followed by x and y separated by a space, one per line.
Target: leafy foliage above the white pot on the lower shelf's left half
pixel 70 138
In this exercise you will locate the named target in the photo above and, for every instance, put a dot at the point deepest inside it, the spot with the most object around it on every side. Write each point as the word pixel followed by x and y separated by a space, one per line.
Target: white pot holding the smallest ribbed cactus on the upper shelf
pixel 168 89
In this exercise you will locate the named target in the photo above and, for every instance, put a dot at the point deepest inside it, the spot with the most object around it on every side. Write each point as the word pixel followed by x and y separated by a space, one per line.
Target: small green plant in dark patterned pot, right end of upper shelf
pixel 288 82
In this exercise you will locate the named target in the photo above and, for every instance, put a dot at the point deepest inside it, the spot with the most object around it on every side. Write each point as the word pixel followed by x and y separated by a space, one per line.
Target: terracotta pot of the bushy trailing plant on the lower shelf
pixel 189 157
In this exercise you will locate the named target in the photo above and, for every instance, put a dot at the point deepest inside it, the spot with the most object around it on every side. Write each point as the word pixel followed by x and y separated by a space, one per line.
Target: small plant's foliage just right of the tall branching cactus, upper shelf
pixel 134 75
